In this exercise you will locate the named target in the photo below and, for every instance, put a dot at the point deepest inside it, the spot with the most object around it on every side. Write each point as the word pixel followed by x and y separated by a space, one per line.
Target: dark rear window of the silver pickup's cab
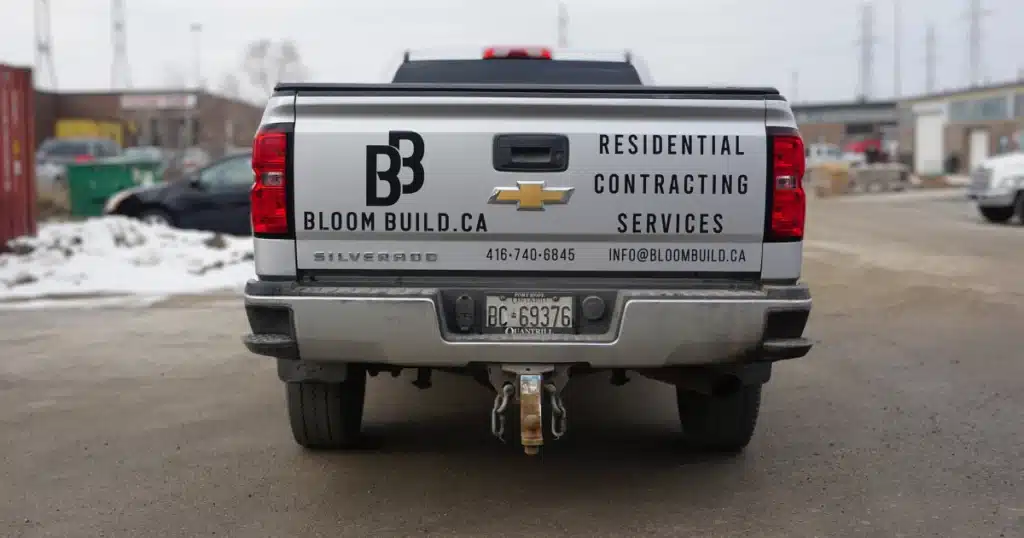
pixel 568 72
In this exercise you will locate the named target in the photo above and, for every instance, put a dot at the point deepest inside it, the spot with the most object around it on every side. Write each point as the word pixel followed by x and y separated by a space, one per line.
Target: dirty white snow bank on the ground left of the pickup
pixel 120 257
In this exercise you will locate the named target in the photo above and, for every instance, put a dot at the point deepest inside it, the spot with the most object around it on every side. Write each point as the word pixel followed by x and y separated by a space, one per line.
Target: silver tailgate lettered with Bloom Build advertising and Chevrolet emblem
pixel 472 182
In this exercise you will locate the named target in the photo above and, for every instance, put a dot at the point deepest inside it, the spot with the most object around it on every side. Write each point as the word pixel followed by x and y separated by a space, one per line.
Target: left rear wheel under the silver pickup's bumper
pixel 328 416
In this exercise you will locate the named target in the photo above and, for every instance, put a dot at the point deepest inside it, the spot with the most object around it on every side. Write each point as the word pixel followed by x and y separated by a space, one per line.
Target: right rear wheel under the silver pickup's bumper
pixel 719 424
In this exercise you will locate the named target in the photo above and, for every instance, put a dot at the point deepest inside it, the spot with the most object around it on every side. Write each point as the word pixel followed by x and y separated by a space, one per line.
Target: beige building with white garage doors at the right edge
pixel 952 133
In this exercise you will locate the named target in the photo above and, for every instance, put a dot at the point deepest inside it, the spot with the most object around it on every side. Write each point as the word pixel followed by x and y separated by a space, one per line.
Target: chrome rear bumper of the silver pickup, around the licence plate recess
pixel 649 328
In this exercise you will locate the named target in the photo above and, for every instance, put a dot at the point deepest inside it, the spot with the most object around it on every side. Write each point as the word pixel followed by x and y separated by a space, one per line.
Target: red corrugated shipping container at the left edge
pixel 18 154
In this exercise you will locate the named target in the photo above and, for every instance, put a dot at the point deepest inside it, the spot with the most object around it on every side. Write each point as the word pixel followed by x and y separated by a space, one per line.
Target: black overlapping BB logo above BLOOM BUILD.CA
pixel 396 163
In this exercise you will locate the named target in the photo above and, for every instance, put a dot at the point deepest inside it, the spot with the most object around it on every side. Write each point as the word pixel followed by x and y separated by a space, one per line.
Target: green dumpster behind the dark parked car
pixel 90 185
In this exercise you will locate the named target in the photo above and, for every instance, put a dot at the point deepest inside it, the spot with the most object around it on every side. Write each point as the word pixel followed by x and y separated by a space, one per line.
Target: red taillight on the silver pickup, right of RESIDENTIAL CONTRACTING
pixel 789 201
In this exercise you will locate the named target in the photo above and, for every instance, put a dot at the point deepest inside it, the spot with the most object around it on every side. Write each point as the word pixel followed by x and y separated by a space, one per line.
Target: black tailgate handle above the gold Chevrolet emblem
pixel 532 153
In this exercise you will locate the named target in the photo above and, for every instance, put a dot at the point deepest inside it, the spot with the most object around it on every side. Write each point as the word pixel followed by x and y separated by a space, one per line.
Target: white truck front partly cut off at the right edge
pixel 998 188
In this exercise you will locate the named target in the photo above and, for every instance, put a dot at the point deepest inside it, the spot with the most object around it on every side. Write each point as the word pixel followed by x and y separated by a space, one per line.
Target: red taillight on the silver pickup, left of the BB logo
pixel 269 199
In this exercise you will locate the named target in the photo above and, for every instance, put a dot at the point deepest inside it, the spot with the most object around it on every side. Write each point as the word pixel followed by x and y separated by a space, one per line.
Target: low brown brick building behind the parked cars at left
pixel 155 118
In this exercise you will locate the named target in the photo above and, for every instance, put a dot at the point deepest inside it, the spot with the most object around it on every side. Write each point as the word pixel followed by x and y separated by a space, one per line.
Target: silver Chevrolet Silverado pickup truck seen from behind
pixel 526 217
